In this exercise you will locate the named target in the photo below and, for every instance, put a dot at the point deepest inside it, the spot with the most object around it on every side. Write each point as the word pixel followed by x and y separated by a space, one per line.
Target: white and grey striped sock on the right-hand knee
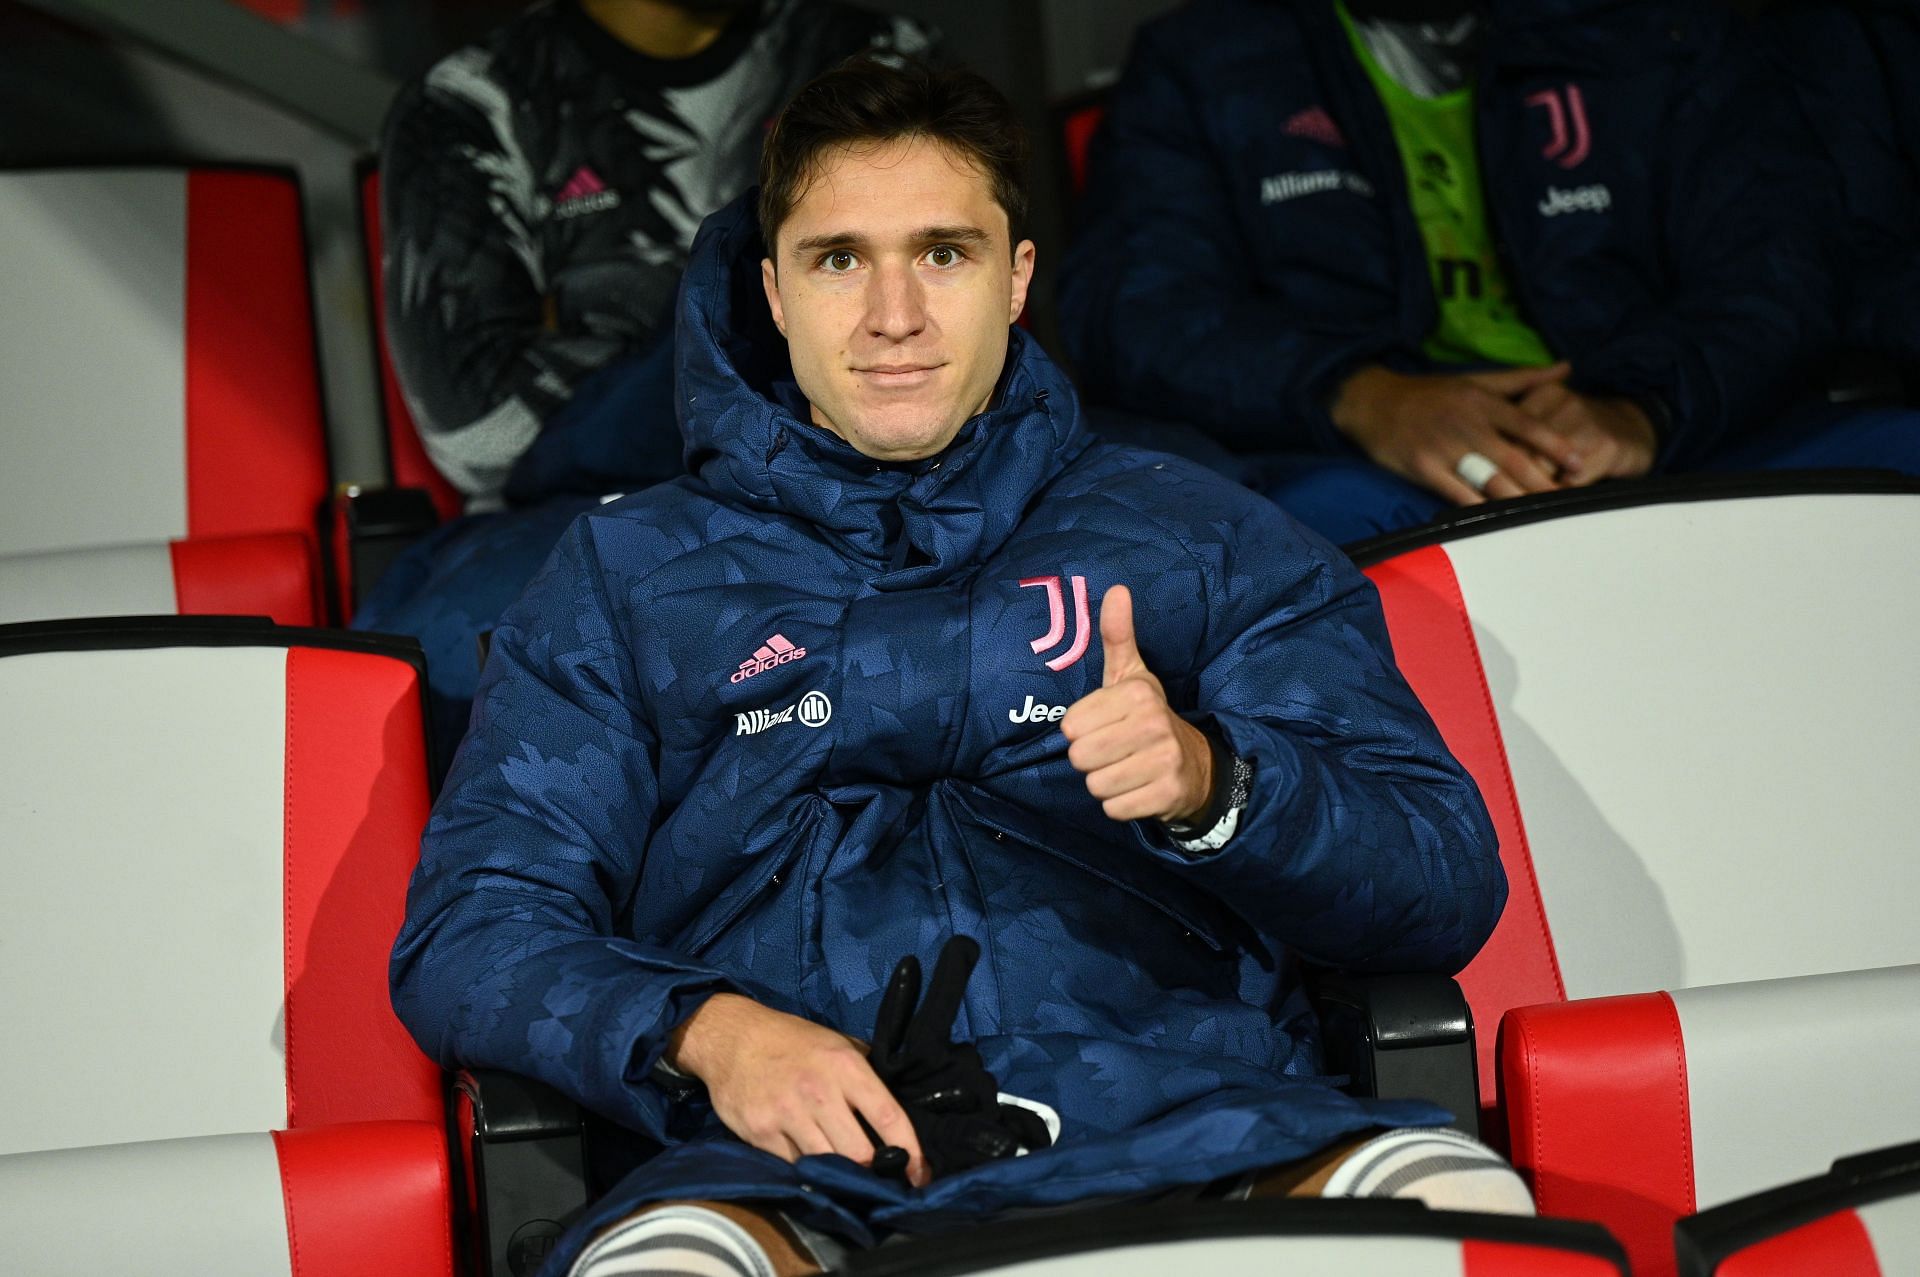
pixel 1437 1167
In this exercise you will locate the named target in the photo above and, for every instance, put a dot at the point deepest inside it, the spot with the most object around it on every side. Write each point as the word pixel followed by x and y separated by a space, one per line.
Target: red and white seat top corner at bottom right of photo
pixel 1858 1220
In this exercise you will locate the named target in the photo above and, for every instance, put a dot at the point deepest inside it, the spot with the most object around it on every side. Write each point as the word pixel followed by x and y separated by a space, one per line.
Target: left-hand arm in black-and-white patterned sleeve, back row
pixel 468 316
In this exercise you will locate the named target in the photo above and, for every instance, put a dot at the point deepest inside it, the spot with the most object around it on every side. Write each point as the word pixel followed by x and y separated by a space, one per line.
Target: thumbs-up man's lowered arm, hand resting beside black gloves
pixel 512 955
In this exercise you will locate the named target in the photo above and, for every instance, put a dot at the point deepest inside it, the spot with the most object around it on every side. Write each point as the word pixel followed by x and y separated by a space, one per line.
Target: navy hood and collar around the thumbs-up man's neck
pixel 748 437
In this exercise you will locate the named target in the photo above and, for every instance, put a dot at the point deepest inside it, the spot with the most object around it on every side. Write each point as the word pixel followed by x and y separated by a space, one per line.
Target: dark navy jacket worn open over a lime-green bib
pixel 1249 239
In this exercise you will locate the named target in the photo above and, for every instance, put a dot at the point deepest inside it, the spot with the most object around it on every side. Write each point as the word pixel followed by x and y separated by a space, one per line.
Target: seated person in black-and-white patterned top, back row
pixel 540 195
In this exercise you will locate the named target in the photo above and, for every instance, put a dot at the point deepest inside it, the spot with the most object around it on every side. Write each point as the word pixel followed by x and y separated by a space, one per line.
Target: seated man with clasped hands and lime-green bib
pixel 1435 253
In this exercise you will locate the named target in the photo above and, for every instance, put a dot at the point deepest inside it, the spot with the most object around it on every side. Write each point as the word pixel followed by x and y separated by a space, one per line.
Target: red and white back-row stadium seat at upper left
pixel 174 393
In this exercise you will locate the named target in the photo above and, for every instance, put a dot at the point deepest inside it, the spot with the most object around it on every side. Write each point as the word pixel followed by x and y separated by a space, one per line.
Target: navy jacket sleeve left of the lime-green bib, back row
pixel 1157 299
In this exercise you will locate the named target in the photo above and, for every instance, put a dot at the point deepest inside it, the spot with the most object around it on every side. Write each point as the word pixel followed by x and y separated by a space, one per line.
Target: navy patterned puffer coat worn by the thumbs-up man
pixel 775 725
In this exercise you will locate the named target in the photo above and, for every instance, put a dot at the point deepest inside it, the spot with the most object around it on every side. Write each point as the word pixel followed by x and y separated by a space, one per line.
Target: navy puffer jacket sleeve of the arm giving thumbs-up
pixel 1364 842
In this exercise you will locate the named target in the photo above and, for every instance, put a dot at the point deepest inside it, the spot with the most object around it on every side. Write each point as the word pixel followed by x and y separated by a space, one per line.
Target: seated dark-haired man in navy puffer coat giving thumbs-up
pixel 838 698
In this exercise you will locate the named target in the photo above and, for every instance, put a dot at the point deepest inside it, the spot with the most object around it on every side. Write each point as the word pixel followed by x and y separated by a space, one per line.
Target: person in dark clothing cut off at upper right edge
pixel 1854 72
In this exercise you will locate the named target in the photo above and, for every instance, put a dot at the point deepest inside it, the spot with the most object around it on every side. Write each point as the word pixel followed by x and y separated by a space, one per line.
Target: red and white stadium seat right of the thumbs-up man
pixel 1691 708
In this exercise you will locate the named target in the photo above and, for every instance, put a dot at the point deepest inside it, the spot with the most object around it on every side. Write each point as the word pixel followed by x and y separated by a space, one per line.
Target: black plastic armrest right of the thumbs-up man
pixel 1401 1038
